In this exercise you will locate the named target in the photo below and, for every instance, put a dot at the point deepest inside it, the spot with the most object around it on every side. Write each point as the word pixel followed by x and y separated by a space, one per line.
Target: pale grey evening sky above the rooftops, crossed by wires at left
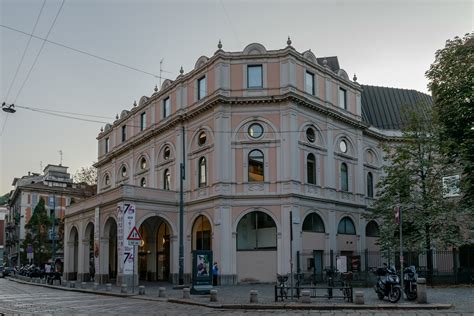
pixel 386 43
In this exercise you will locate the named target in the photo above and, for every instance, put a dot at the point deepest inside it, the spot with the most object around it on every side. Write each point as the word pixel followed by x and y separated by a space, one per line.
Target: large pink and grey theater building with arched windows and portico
pixel 264 136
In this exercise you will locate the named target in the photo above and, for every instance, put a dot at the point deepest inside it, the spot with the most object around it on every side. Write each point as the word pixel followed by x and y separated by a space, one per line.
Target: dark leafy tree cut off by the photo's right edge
pixel 450 81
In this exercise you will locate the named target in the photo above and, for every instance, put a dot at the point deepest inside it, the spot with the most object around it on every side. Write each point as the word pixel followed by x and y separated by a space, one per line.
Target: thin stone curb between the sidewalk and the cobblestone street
pixel 246 306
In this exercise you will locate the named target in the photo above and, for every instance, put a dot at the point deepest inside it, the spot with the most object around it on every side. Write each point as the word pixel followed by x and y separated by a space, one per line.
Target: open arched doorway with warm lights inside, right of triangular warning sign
pixel 154 252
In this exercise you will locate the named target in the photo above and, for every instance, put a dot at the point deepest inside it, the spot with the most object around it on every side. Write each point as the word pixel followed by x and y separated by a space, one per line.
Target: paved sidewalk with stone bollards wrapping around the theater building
pixel 238 297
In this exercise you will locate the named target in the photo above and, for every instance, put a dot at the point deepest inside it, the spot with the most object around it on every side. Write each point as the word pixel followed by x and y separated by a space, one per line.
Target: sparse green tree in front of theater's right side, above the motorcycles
pixel 413 171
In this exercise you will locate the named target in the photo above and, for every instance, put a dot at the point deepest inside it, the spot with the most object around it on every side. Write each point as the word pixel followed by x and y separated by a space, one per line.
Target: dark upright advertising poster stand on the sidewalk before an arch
pixel 202 272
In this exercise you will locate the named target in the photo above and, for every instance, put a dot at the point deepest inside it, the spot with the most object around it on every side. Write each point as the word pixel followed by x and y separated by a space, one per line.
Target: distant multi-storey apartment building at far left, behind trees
pixel 57 189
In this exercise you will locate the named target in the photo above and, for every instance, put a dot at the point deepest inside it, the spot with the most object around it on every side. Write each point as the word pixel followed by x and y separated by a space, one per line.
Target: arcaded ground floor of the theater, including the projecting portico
pixel 252 239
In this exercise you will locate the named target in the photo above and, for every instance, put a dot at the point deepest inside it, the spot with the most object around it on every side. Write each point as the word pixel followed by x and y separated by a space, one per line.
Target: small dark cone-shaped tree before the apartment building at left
pixel 38 227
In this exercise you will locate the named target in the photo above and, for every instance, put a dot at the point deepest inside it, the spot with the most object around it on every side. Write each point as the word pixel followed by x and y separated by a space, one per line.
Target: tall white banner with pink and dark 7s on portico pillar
pixel 125 223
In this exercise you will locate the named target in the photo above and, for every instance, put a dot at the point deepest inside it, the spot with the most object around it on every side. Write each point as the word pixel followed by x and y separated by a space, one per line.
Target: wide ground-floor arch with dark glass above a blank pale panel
pixel 256 247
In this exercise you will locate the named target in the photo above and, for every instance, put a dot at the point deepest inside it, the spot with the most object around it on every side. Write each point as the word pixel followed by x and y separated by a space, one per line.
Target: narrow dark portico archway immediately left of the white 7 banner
pixel 110 249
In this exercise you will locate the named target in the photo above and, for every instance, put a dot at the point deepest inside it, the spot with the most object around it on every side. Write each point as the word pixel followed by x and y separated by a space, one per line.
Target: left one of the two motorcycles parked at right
pixel 388 284
